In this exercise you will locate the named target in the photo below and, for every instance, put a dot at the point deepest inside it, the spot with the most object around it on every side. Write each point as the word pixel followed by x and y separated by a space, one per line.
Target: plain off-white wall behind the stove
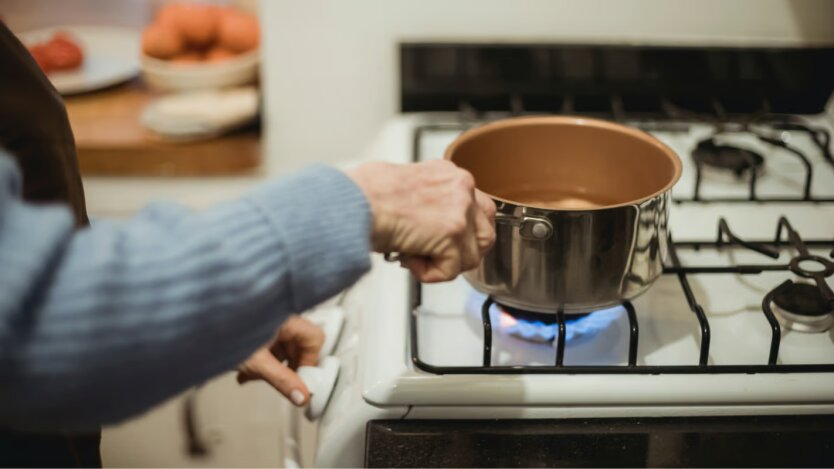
pixel 331 74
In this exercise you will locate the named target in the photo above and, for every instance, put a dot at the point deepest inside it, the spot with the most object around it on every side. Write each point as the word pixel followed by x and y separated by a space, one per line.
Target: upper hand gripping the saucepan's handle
pixel 430 213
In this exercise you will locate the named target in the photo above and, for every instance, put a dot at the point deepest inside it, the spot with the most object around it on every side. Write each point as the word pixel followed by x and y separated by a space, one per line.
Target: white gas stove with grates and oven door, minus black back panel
pixel 732 346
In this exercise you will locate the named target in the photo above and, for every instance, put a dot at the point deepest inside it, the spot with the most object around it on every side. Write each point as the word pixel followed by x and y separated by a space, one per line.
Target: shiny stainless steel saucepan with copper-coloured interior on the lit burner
pixel 583 208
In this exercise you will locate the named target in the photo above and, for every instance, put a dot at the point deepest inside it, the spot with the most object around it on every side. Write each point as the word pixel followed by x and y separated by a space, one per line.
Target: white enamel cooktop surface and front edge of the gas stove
pixel 416 352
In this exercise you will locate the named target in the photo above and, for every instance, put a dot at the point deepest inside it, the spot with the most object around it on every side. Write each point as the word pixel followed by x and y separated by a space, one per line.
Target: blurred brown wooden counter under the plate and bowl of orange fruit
pixel 112 142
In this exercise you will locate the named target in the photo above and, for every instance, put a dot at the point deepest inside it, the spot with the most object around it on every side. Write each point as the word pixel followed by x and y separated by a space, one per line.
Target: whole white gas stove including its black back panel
pixel 717 350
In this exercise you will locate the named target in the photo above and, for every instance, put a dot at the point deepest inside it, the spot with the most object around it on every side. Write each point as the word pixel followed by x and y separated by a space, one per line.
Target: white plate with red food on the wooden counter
pixel 111 56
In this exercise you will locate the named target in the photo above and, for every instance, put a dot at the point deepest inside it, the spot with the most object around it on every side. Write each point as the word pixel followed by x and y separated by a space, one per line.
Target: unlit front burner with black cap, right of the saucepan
pixel 801 307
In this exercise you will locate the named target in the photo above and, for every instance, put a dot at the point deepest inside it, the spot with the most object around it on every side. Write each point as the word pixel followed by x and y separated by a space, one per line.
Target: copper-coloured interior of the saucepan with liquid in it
pixel 565 163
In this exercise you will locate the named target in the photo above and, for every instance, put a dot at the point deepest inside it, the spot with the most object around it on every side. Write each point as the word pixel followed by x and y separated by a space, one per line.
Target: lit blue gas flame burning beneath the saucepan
pixel 542 327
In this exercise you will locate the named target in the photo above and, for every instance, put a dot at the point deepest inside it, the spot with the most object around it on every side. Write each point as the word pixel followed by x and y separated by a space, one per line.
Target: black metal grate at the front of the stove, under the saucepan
pixel 725 239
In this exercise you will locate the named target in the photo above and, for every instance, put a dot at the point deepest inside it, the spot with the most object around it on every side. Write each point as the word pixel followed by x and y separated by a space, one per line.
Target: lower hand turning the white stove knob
pixel 297 344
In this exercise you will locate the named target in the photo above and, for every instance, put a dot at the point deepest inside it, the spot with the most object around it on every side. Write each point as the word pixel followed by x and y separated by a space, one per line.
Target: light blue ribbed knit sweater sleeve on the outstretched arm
pixel 99 324
